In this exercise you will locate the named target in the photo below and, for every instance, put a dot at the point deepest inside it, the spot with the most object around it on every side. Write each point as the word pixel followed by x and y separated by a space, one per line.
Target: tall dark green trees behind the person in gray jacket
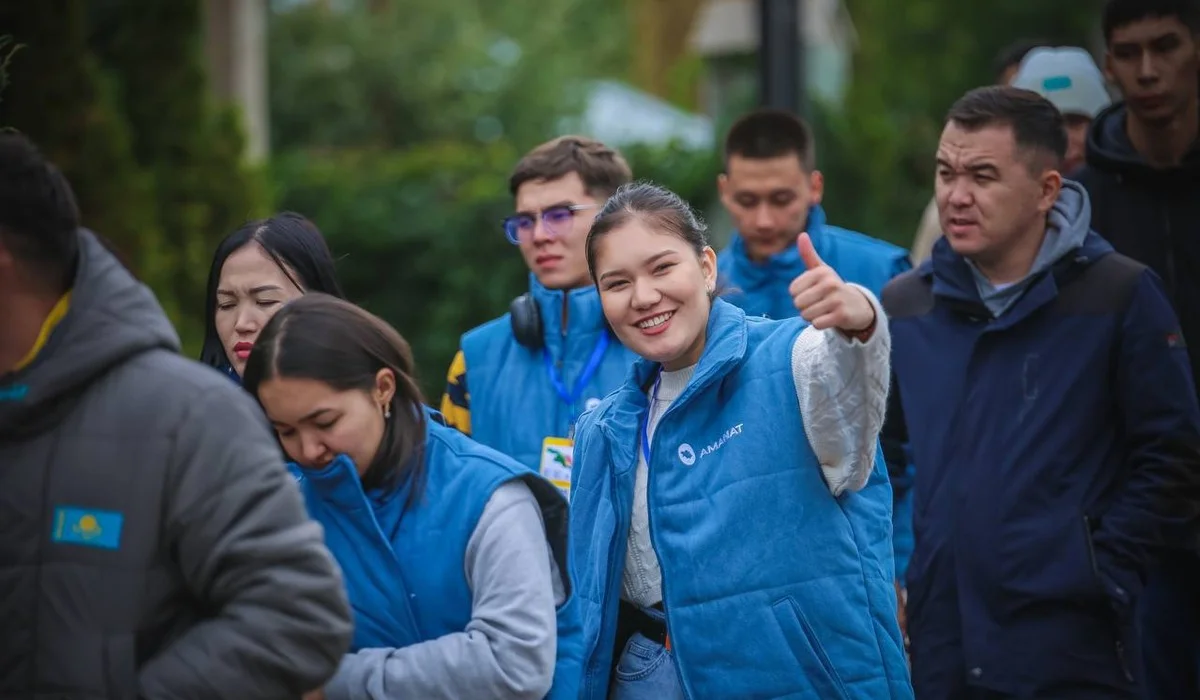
pixel 115 93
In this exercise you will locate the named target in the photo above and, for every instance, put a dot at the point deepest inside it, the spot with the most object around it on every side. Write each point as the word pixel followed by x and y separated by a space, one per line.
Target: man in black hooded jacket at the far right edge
pixel 1143 175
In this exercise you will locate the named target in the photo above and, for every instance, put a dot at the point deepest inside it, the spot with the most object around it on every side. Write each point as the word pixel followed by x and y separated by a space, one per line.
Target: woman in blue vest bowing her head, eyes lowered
pixel 454 555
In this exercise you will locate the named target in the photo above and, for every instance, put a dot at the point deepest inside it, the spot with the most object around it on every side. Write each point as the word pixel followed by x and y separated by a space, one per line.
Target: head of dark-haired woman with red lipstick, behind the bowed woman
pixel 256 271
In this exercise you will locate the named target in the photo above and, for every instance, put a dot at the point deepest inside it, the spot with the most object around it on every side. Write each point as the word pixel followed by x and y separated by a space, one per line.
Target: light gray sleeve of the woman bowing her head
pixel 508 649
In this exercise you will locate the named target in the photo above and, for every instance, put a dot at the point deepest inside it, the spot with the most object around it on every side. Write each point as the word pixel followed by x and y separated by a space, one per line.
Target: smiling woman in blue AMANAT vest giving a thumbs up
pixel 730 508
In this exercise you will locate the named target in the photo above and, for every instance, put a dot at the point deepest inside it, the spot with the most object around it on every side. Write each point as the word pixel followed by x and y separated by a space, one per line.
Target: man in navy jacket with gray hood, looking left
pixel 1045 386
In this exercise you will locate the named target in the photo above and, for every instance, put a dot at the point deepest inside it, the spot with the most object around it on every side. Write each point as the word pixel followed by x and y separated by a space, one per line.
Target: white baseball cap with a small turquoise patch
pixel 1067 77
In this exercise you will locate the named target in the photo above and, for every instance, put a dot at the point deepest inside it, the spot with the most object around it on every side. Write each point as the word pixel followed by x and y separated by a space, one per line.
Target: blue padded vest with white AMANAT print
pixel 772 588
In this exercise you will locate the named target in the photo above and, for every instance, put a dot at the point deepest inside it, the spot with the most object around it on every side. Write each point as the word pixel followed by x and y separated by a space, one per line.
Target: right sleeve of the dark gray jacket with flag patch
pixel 237 527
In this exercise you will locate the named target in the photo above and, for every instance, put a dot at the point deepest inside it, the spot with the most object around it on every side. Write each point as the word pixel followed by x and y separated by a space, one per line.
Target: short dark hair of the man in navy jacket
pixel 1036 123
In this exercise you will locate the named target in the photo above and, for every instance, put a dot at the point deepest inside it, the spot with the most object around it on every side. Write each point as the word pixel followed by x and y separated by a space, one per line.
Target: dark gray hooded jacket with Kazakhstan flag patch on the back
pixel 152 543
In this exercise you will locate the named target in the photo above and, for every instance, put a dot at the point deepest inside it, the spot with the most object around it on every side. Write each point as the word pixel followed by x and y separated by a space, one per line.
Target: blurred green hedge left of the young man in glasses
pixel 418 232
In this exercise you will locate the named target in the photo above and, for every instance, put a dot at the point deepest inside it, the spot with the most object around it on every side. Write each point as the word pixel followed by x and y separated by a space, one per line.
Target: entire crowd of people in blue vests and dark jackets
pixel 801 468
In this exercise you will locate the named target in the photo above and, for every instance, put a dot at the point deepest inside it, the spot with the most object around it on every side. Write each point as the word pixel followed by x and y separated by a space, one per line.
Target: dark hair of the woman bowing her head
pixel 331 340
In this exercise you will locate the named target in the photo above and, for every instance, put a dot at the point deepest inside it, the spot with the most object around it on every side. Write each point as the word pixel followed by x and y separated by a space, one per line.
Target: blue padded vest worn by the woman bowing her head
pixel 404 567
